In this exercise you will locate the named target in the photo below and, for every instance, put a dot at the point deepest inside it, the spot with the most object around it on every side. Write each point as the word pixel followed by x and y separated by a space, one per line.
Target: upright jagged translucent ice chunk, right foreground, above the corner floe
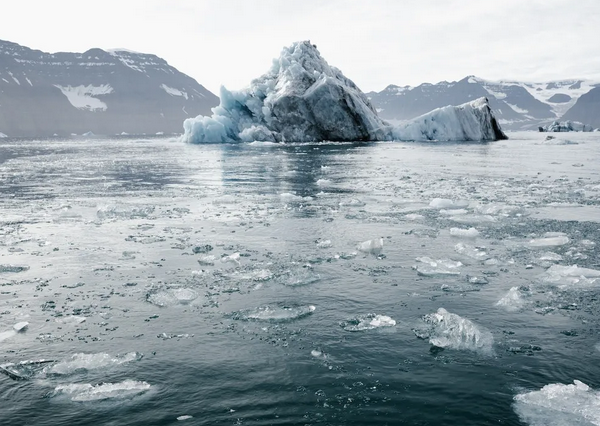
pixel 452 331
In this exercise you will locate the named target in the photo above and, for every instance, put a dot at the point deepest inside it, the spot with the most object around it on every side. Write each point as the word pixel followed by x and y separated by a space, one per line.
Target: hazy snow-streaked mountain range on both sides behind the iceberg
pixel 124 92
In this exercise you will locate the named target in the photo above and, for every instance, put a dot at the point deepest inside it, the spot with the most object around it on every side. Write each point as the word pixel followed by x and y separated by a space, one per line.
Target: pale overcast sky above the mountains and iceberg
pixel 374 42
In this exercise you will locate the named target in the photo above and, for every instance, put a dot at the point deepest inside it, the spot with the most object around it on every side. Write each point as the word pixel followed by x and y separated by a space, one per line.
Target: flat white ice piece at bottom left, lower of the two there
pixel 85 392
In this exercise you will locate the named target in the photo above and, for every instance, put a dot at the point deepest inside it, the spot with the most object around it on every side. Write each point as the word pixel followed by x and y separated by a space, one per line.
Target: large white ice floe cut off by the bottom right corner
pixel 559 405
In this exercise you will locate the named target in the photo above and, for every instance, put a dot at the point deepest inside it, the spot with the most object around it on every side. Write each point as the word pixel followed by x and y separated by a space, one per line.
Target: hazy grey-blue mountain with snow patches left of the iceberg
pixel 103 92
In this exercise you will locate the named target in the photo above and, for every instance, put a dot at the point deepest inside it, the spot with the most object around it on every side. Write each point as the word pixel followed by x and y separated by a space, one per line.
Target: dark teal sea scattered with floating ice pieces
pixel 151 282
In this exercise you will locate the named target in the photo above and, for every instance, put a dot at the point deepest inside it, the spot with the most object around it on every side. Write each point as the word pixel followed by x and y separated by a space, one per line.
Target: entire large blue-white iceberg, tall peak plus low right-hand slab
pixel 304 99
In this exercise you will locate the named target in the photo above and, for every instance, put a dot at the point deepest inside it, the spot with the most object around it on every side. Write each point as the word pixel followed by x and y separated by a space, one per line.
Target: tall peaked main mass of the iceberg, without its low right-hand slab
pixel 301 98
